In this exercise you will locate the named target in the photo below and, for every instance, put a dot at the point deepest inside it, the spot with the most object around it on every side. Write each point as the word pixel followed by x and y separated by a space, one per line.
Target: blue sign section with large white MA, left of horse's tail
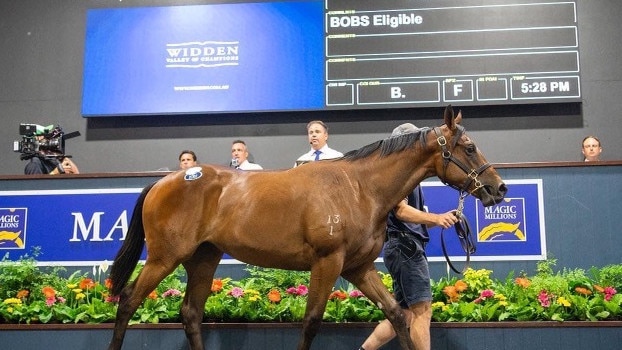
pixel 72 227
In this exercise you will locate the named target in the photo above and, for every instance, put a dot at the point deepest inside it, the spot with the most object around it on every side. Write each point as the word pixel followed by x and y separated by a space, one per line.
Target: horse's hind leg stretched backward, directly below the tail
pixel 133 295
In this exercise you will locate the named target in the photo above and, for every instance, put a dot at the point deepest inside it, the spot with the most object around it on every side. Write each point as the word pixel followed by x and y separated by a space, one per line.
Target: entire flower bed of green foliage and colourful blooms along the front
pixel 32 295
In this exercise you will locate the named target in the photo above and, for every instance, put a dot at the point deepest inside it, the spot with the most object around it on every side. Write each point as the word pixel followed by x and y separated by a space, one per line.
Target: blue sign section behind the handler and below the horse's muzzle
pixel 510 230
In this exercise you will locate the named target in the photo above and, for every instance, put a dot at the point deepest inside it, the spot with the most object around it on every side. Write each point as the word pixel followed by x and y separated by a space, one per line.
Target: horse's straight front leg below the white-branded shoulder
pixel 324 273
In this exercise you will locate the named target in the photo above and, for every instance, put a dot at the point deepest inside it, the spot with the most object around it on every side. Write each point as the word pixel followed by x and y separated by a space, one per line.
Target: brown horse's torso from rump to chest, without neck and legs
pixel 262 218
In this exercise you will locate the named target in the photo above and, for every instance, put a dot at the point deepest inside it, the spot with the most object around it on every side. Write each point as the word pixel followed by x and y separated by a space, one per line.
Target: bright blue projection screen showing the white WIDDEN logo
pixel 217 58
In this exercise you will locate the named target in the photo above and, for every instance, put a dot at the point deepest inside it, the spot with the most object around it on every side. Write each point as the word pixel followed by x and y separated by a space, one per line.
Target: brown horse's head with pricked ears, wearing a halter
pixel 462 165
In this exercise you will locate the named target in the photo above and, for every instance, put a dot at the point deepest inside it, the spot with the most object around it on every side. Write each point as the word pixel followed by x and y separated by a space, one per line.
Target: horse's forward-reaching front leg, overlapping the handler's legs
pixel 366 278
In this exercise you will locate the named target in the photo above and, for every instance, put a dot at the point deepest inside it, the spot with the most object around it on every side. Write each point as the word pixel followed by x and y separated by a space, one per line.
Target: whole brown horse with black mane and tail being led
pixel 326 217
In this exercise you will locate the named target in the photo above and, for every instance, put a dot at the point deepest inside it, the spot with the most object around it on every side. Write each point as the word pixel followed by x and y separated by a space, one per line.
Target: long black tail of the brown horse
pixel 127 258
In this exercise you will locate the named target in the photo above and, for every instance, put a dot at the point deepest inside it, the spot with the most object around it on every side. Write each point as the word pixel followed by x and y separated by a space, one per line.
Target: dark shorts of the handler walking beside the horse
pixel 404 257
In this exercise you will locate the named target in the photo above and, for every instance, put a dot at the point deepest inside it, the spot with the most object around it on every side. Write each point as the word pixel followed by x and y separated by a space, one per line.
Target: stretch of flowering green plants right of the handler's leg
pixel 569 295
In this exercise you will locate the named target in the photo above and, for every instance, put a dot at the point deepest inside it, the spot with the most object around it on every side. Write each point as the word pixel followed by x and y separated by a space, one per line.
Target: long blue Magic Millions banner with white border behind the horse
pixel 88 226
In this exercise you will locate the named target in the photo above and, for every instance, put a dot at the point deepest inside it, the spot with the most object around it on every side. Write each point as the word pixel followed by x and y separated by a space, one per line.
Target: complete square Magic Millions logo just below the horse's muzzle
pixel 502 222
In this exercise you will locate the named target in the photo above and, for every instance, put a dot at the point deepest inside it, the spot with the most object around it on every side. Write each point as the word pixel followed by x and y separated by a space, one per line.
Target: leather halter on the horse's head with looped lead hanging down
pixel 462 227
